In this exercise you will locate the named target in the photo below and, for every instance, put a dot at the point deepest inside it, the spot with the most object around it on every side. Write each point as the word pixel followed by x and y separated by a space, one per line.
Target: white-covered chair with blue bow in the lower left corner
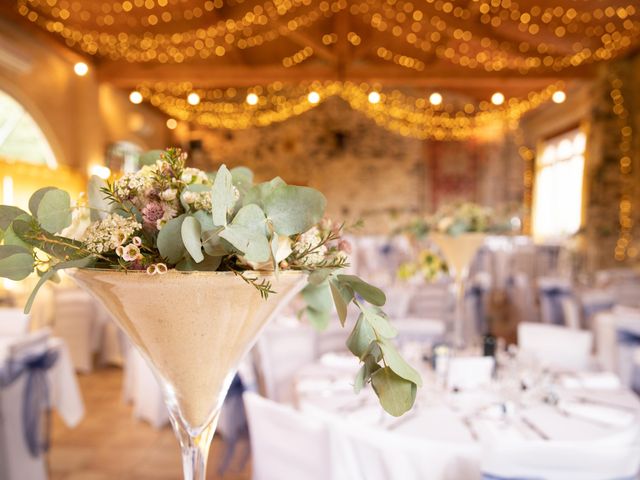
pixel 17 462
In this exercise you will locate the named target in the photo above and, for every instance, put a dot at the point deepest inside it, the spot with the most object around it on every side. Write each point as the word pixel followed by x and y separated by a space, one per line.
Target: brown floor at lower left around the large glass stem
pixel 110 444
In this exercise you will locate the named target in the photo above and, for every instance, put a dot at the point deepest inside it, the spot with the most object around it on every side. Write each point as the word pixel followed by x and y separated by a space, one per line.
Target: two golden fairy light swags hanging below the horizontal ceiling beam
pixel 394 110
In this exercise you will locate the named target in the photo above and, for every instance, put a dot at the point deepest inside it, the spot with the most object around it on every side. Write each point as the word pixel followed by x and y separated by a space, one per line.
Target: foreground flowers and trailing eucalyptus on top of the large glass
pixel 169 216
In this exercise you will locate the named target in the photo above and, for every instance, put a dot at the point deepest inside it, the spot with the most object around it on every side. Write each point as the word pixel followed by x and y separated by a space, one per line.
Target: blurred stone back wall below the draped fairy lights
pixel 364 170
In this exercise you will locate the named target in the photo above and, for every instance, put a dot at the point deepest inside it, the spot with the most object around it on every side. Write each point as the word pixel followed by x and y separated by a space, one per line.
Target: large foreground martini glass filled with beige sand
pixel 192 328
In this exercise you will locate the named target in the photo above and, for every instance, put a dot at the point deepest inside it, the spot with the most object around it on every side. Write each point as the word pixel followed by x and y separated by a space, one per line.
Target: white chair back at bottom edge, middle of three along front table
pixel 367 454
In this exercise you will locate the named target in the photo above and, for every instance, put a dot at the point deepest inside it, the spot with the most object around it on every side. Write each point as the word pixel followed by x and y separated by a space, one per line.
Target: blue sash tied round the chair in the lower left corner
pixel 36 428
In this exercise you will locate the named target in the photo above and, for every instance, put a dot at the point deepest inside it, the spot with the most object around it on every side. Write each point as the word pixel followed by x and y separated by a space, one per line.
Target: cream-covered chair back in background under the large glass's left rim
pixel 74 322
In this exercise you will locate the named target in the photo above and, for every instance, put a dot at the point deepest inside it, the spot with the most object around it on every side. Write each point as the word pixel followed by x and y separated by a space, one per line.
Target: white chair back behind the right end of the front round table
pixel 555 346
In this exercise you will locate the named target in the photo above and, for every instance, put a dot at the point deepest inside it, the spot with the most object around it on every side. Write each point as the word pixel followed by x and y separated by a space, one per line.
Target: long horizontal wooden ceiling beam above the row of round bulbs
pixel 202 75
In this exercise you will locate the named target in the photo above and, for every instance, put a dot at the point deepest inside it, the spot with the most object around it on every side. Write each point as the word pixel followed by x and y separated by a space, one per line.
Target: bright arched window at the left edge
pixel 21 139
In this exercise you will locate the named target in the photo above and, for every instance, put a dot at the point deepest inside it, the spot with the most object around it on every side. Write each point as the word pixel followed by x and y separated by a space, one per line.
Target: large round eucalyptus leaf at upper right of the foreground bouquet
pixel 293 209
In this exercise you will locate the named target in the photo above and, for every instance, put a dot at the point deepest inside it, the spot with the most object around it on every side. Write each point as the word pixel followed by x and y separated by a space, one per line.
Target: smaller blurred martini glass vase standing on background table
pixel 459 251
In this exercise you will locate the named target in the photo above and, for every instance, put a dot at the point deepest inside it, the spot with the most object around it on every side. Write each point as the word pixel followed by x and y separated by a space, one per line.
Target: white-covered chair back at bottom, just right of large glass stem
pixel 285 443
